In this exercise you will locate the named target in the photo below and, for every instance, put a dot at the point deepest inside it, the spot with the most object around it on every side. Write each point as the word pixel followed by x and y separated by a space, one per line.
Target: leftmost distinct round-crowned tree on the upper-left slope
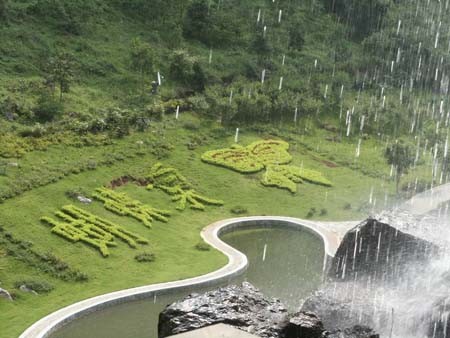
pixel 60 73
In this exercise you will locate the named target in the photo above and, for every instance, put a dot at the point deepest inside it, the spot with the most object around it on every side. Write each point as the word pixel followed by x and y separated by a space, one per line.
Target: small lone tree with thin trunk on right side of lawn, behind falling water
pixel 400 156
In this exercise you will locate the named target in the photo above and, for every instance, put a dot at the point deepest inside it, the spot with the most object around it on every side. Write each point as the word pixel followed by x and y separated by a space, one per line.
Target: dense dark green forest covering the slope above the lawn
pixel 367 67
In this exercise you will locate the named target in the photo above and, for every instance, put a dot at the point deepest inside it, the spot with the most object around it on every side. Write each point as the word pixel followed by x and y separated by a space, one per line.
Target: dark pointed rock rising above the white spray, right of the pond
pixel 379 251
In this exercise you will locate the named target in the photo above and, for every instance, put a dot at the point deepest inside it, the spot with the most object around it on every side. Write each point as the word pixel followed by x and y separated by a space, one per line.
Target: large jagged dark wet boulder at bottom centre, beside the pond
pixel 243 307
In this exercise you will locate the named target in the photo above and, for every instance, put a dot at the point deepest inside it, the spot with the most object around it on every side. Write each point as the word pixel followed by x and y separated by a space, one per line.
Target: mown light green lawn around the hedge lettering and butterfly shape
pixel 174 242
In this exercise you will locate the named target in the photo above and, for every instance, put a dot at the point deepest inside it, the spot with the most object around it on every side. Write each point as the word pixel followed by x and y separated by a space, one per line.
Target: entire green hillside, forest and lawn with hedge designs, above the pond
pixel 144 98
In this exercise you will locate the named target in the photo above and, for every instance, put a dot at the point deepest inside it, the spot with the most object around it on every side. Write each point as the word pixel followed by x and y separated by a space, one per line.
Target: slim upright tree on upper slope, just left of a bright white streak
pixel 142 60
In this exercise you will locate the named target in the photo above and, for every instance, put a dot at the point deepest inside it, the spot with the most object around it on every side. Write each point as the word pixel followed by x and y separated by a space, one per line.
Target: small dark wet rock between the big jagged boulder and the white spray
pixel 304 324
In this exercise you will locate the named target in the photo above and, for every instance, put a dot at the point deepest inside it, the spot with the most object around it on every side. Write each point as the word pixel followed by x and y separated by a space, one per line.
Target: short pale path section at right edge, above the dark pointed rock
pixel 427 201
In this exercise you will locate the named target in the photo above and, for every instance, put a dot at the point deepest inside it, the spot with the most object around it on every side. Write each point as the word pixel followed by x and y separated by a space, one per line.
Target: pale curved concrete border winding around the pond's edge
pixel 331 234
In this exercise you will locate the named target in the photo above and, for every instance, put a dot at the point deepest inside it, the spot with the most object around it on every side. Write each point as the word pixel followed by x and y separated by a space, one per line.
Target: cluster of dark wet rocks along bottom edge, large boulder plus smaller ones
pixel 247 309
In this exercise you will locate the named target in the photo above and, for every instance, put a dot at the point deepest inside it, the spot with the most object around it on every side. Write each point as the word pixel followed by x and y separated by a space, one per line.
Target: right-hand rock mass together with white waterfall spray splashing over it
pixel 370 283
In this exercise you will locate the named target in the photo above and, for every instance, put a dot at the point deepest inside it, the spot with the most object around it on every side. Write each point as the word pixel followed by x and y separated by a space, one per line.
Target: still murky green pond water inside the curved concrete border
pixel 290 271
